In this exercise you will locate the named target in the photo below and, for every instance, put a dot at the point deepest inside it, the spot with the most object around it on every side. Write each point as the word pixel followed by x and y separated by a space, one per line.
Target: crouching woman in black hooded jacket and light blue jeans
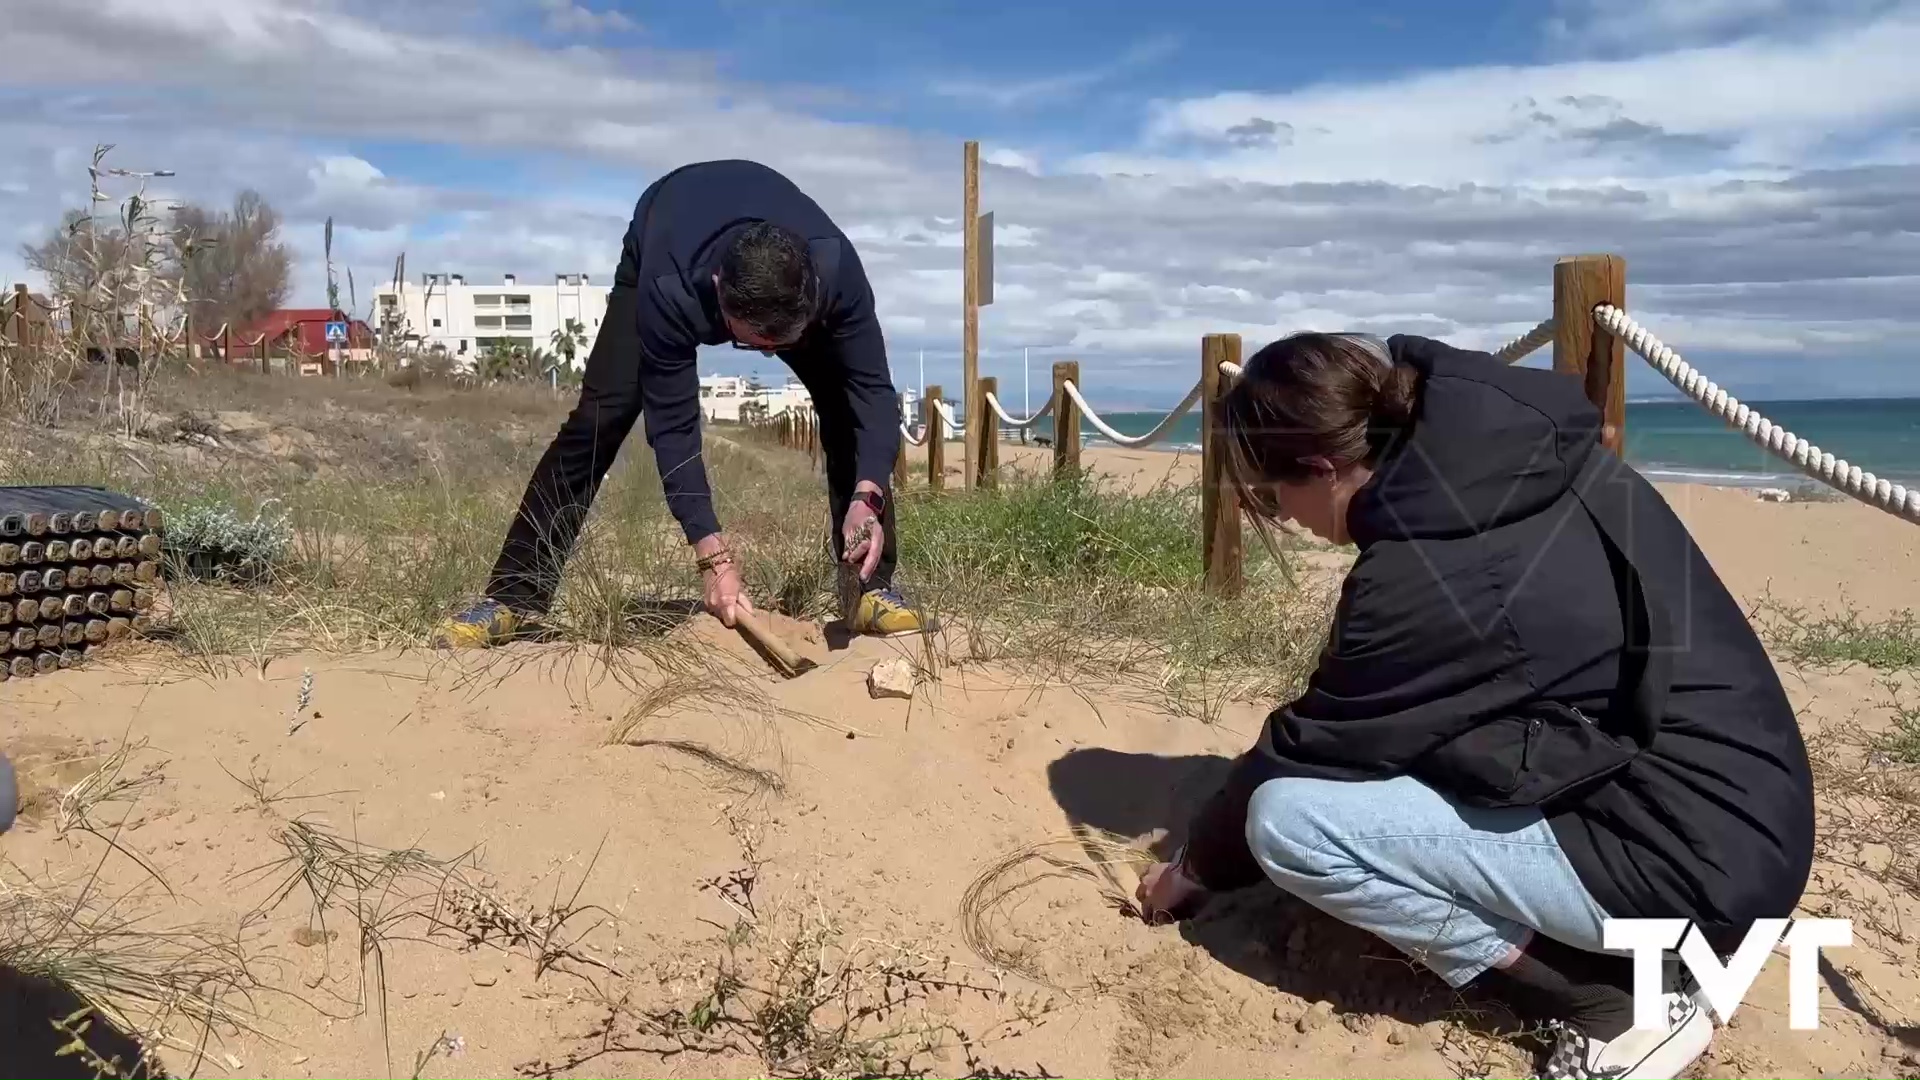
pixel 1539 706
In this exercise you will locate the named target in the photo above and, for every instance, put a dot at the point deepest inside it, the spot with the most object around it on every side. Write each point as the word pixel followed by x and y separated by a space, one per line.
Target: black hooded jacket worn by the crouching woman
pixel 1529 624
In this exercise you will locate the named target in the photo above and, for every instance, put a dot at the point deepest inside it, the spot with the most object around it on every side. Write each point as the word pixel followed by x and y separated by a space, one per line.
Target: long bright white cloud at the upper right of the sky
pixel 1700 114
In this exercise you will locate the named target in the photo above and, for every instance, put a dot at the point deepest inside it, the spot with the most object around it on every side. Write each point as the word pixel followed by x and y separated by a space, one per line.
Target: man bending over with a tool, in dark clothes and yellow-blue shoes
pixel 717 253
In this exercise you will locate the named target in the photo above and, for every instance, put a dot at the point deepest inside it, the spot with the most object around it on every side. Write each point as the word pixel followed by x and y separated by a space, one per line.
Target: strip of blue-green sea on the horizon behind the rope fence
pixel 1683 443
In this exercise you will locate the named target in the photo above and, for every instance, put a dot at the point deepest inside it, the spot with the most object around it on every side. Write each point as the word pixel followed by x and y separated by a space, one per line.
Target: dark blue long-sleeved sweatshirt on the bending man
pixel 683 226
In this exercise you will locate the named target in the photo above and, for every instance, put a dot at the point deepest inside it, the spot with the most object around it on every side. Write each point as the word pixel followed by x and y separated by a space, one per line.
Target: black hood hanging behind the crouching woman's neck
pixel 1489 445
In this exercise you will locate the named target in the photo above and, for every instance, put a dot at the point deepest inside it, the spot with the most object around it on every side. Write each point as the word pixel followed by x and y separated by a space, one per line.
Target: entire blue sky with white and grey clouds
pixel 1157 172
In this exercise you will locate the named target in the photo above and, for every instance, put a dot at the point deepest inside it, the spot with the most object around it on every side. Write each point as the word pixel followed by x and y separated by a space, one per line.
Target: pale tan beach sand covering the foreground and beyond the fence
pixel 673 818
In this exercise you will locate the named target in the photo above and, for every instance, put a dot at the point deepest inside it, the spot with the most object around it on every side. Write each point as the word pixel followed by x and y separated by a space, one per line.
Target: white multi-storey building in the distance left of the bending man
pixel 444 310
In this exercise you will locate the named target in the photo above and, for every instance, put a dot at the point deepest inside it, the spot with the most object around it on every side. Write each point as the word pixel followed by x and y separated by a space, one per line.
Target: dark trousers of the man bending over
pixel 569 474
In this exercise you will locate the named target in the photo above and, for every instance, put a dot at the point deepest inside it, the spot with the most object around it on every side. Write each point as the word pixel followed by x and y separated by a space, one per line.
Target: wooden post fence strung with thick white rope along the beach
pixel 1589 331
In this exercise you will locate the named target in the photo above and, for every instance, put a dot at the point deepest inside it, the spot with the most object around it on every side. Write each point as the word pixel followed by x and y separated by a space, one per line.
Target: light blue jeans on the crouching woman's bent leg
pixel 1452 887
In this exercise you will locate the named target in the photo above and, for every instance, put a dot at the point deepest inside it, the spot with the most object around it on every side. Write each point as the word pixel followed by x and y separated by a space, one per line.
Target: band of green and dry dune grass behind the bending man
pixel 396 501
